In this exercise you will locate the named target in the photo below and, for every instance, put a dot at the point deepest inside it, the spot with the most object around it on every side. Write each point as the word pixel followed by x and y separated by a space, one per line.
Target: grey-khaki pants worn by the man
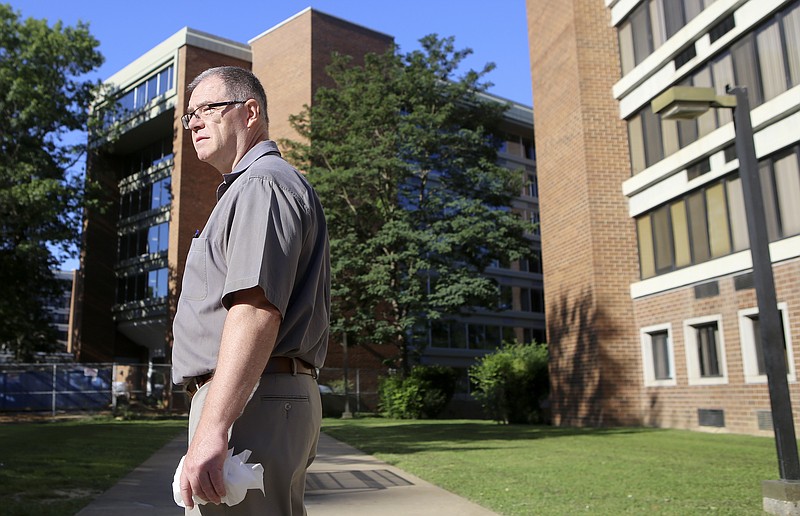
pixel 280 425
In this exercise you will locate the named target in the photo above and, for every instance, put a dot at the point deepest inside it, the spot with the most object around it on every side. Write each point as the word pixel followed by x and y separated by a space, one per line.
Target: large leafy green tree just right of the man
pixel 404 158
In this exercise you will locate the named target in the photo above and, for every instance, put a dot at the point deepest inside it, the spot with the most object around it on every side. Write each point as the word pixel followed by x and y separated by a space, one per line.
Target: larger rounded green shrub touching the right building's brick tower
pixel 512 382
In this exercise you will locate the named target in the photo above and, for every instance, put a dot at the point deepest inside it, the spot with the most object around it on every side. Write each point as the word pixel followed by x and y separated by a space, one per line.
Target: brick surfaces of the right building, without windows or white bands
pixel 590 251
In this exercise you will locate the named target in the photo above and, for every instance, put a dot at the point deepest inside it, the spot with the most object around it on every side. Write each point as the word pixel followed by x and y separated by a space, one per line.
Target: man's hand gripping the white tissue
pixel 202 468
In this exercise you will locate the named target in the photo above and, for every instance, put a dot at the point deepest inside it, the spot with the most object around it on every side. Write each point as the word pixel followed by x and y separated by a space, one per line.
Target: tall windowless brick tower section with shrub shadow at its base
pixel 588 240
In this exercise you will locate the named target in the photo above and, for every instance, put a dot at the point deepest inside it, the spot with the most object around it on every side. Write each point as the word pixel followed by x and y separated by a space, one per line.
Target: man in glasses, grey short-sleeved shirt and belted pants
pixel 254 307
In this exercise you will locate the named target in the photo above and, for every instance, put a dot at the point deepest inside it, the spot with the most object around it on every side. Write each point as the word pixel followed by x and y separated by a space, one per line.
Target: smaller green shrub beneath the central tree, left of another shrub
pixel 423 394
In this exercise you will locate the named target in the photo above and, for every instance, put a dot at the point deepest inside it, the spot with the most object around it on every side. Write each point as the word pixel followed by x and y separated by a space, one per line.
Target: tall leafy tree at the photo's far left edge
pixel 43 102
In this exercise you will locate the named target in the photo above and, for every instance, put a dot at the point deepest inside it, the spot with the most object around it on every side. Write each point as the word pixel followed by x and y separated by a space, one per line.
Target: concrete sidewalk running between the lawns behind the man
pixel 342 481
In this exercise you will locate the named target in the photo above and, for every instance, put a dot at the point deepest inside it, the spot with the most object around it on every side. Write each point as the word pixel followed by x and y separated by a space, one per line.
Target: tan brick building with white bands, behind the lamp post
pixel 651 311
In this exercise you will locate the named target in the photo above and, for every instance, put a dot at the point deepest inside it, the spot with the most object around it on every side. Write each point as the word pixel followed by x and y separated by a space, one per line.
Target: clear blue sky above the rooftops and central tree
pixel 495 31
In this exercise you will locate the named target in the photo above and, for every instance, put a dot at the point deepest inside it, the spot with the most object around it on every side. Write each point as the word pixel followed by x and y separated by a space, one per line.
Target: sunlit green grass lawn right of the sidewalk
pixel 514 469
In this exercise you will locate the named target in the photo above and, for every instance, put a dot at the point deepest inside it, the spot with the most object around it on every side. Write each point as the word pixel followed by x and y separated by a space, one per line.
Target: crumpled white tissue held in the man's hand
pixel 239 476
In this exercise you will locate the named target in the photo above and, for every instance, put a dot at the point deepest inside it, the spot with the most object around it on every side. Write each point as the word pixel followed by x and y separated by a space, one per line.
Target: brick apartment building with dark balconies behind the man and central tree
pixel 159 193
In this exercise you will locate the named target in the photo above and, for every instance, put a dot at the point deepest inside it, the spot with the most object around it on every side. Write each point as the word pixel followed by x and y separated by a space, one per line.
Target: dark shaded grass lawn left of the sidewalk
pixel 57 468
